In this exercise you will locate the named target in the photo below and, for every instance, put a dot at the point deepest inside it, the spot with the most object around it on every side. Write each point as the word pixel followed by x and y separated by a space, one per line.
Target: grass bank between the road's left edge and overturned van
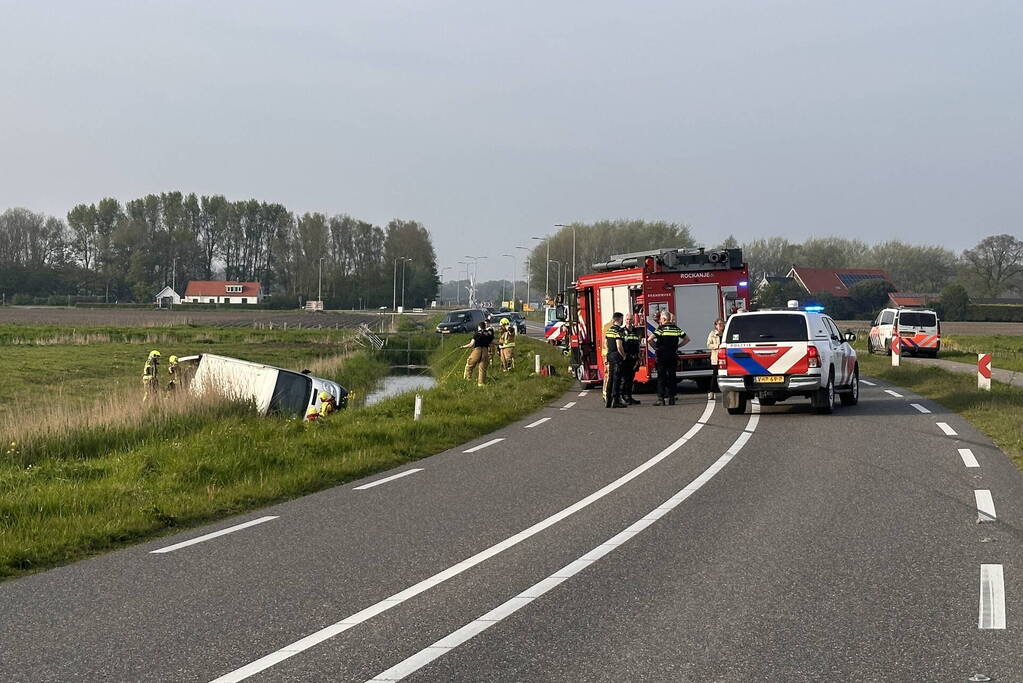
pixel 99 490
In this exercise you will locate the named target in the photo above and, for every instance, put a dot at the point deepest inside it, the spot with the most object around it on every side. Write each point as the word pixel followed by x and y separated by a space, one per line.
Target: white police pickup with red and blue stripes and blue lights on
pixel 778 354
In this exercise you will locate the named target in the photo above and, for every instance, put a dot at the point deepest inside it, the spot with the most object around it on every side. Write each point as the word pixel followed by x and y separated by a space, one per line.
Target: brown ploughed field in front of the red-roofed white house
pixel 47 315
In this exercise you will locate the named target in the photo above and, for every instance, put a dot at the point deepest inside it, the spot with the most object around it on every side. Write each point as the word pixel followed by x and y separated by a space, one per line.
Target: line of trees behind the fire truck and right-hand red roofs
pixel 993 268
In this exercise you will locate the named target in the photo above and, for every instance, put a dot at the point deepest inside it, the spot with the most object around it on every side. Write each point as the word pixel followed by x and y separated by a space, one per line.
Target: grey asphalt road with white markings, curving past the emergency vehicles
pixel 647 544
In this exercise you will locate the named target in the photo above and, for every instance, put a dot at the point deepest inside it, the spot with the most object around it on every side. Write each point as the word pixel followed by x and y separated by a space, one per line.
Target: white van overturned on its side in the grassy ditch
pixel 272 390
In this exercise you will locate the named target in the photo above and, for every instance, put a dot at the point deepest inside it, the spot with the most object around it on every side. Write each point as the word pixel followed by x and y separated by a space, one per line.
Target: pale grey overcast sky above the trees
pixel 492 122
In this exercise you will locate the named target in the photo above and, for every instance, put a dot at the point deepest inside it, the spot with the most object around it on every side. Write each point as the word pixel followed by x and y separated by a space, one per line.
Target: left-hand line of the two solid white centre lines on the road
pixel 366 615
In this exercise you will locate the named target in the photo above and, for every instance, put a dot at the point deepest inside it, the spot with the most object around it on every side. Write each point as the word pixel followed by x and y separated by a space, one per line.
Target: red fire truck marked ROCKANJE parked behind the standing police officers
pixel 695 285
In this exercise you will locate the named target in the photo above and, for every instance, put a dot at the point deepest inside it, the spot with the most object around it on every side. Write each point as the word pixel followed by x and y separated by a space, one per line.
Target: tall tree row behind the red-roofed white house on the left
pixel 130 252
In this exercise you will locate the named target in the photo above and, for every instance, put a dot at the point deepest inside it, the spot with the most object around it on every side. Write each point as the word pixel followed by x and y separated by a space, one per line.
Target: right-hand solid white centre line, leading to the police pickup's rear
pixel 474 628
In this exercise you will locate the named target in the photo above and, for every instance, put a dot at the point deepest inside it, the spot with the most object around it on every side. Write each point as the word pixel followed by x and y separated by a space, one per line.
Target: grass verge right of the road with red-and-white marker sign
pixel 998 414
